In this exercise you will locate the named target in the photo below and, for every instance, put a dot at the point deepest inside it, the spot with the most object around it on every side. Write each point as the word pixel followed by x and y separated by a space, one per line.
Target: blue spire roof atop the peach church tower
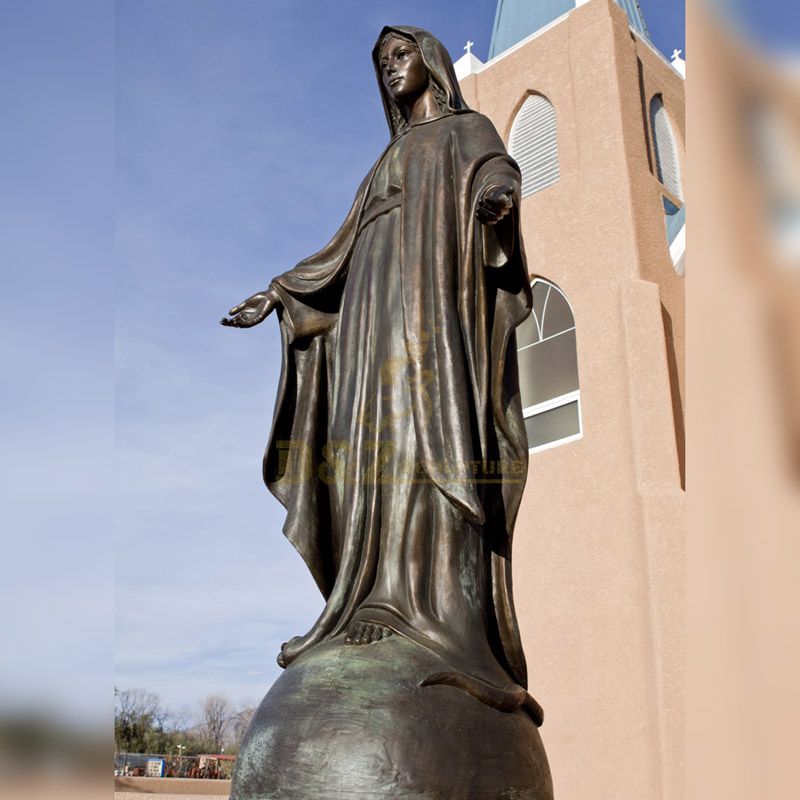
pixel 514 20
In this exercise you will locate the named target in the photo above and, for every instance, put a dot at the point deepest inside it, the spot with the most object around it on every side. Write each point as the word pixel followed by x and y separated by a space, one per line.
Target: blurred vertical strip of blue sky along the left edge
pixel 56 460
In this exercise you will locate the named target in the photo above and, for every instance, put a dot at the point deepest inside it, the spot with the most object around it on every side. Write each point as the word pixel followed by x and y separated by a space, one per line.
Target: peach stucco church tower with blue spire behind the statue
pixel 594 115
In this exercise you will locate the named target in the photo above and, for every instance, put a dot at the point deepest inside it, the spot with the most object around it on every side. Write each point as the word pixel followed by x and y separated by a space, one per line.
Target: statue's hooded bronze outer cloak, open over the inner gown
pixel 464 289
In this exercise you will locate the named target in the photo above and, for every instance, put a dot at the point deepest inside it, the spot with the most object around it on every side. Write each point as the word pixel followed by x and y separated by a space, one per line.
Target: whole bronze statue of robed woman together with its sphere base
pixel 399 452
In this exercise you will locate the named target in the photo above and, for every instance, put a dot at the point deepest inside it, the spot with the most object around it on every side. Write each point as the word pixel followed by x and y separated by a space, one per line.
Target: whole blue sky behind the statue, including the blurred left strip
pixel 242 130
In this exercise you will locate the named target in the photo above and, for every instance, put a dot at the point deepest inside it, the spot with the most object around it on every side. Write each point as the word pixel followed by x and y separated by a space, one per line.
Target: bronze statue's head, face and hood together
pixel 409 61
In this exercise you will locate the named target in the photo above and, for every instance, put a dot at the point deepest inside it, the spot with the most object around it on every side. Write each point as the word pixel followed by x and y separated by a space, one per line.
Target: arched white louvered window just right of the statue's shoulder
pixel 533 144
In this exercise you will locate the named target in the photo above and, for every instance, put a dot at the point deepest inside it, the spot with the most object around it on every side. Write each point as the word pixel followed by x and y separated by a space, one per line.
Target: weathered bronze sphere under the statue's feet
pixel 347 721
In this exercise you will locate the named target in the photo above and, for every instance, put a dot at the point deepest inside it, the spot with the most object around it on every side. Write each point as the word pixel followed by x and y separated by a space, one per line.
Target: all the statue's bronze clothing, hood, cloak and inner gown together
pixel 459 290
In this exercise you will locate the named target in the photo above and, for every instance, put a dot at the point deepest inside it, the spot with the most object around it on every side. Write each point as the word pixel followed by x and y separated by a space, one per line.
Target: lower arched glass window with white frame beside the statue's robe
pixel 548 370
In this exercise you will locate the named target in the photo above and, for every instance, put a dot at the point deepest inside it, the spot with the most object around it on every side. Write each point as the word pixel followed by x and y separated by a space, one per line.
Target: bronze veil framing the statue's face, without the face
pixel 440 67
